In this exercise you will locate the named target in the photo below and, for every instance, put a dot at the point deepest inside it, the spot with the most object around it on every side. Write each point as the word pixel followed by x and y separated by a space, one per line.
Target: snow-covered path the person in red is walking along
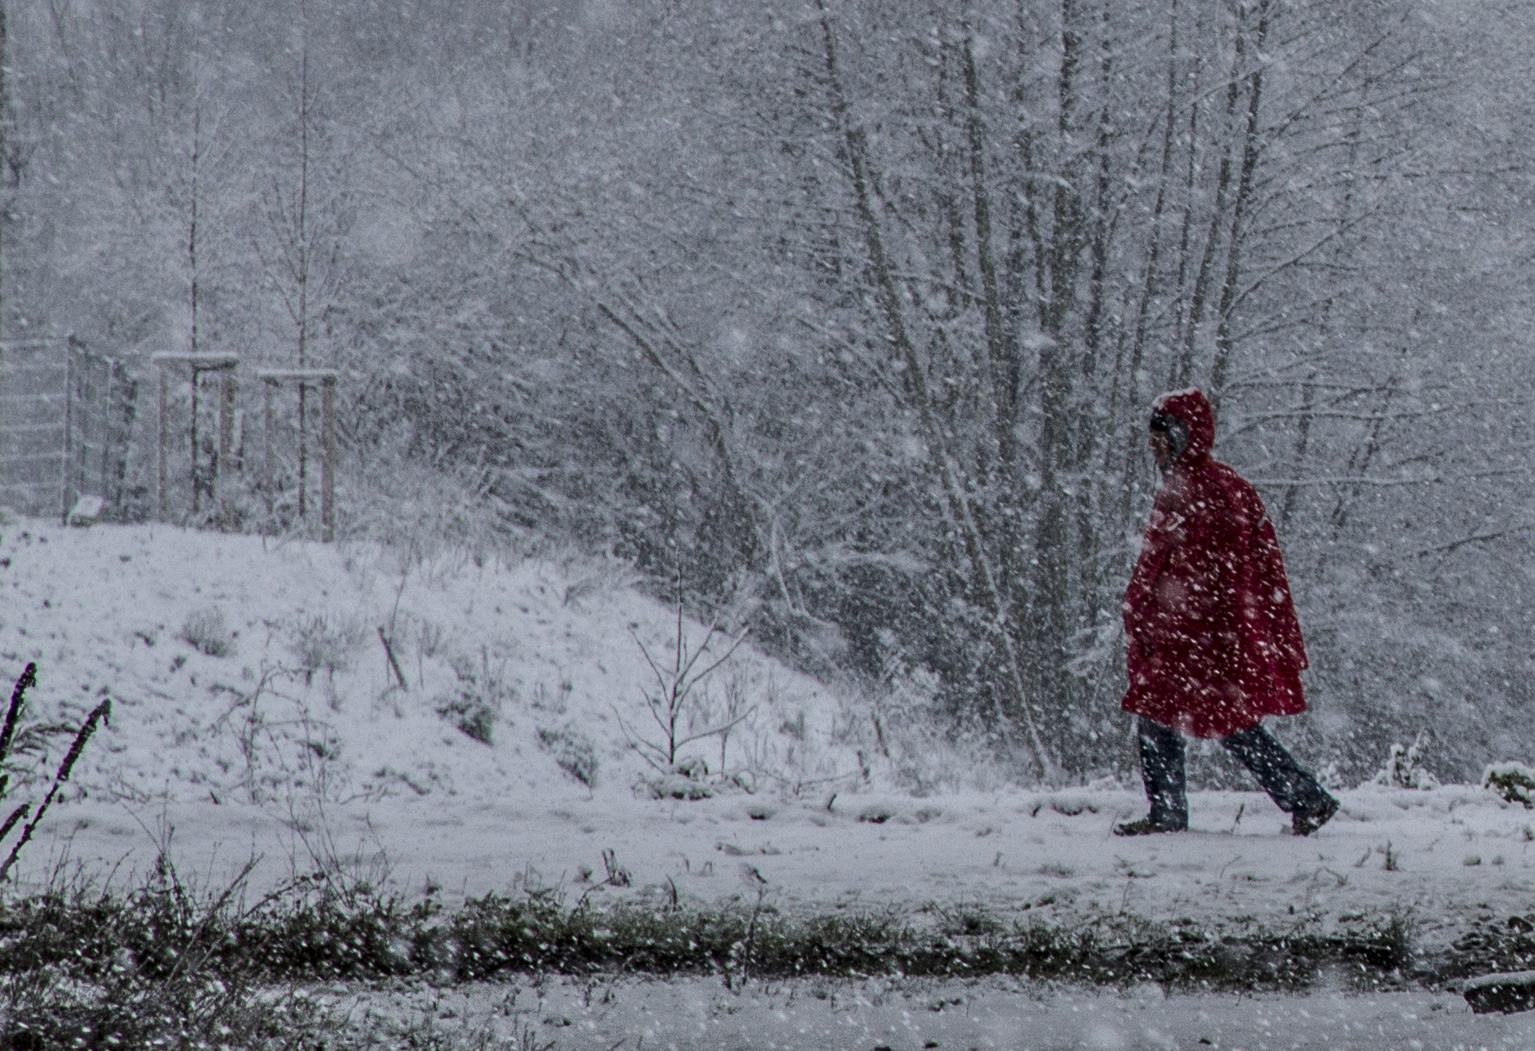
pixel 1009 852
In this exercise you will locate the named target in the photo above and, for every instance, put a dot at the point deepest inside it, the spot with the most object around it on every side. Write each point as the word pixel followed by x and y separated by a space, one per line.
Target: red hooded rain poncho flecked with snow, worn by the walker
pixel 1213 641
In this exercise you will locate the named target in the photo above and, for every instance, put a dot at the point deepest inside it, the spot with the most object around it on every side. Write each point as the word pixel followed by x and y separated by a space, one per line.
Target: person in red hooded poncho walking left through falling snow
pixel 1213 644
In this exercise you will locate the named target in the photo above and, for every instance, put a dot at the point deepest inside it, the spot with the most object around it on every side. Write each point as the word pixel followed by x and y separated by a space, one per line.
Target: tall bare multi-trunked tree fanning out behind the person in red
pixel 1023 367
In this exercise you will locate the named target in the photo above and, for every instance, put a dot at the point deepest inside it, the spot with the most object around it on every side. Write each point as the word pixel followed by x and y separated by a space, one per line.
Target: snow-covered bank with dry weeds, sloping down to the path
pixel 257 673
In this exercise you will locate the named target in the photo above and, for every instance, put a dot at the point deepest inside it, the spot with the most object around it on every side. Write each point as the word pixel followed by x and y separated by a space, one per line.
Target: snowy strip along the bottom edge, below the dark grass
pixel 908 1016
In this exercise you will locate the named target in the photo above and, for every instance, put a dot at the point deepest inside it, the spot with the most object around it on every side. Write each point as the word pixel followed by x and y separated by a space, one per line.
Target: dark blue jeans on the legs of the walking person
pixel 1276 771
